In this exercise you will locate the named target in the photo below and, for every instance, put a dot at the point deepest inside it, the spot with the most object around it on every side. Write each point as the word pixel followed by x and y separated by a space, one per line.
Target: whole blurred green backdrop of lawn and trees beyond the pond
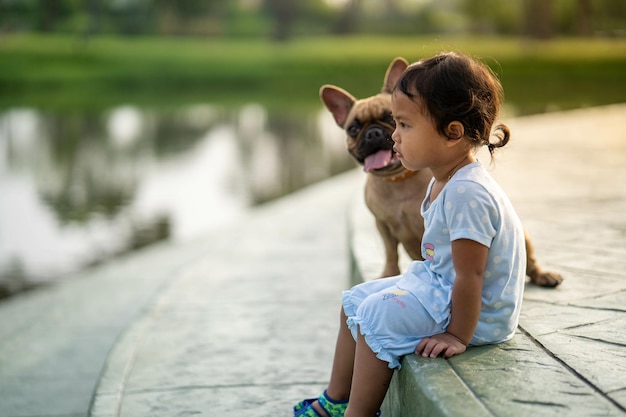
pixel 97 53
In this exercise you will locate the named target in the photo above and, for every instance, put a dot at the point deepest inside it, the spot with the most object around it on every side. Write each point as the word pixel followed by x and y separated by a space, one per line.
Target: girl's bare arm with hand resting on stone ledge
pixel 470 259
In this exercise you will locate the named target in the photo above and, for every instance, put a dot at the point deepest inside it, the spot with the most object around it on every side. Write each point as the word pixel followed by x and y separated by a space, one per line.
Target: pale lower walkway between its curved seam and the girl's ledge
pixel 247 330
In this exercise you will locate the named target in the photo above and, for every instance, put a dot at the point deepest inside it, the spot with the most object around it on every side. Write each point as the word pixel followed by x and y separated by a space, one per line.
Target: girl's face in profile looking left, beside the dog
pixel 418 143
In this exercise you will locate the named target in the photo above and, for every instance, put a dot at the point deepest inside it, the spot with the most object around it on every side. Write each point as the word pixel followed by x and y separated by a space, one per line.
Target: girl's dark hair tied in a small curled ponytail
pixel 455 87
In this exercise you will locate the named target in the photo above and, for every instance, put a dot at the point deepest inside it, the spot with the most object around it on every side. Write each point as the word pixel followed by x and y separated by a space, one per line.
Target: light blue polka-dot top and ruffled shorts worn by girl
pixel 395 314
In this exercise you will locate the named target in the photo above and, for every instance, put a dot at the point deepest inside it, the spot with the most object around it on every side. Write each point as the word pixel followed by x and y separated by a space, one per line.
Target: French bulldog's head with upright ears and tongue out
pixel 368 122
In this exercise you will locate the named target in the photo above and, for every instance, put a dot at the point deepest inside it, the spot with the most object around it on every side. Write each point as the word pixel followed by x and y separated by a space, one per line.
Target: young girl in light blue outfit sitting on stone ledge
pixel 468 290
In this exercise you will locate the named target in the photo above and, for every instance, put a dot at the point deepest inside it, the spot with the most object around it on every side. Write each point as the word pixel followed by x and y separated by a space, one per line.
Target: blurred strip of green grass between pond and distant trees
pixel 67 72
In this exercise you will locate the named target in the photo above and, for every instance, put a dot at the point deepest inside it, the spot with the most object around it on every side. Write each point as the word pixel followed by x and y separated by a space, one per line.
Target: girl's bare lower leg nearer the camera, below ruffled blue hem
pixel 372 377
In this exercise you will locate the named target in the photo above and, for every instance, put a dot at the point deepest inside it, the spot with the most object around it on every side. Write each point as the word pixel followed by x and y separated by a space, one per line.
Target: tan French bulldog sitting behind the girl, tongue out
pixel 393 193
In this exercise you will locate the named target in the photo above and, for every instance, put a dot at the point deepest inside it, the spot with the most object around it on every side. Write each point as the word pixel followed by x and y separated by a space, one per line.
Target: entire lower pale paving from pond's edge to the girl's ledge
pixel 240 323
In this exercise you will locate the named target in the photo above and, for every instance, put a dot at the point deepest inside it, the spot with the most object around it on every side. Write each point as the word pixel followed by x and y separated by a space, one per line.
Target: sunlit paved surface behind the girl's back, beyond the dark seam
pixel 573 202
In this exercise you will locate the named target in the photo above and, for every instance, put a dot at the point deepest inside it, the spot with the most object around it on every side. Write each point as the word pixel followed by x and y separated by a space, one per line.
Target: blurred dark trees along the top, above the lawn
pixel 283 19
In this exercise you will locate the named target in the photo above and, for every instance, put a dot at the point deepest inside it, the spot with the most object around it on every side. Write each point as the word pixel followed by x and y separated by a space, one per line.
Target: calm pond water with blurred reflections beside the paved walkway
pixel 79 188
